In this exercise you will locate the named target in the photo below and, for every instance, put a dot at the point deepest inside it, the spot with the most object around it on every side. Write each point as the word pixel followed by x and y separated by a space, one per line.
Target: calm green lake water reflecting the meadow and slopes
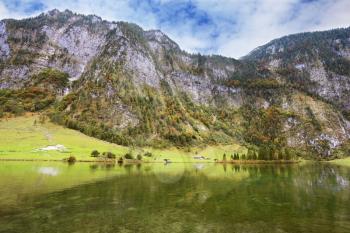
pixel 55 197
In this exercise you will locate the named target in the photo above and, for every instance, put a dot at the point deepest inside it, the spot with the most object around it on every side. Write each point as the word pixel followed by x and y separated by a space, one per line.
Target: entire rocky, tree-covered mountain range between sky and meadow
pixel 119 83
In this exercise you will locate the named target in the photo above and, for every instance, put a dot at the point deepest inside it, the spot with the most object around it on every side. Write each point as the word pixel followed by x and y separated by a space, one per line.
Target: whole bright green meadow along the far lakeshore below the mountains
pixel 20 138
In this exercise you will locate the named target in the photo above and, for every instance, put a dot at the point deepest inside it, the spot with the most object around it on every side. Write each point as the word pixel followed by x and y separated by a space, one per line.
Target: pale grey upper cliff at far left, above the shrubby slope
pixel 60 40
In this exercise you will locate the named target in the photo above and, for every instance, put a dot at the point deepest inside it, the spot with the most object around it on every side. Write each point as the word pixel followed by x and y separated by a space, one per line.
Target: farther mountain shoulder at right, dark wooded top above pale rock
pixel 318 61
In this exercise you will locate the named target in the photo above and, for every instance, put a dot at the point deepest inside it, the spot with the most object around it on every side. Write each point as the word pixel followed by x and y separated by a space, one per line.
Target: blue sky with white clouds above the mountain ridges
pixel 230 28
